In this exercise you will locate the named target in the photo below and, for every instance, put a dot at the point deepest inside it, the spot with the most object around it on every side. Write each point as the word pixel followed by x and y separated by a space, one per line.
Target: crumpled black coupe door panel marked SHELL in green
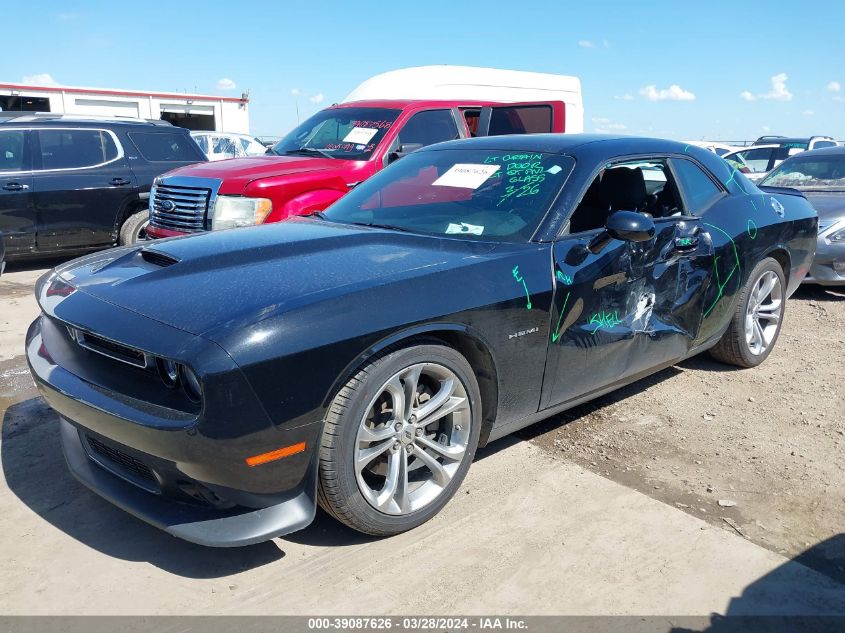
pixel 630 307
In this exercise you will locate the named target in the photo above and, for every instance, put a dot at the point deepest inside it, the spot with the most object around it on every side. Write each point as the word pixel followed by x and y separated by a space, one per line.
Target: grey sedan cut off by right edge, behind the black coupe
pixel 820 176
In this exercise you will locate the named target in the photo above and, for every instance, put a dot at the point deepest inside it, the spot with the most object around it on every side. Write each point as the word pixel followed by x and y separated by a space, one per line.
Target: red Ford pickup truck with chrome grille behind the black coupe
pixel 324 157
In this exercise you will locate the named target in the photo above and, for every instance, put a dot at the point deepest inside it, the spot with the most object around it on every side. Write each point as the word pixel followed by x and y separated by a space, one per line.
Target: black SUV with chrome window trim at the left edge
pixel 75 184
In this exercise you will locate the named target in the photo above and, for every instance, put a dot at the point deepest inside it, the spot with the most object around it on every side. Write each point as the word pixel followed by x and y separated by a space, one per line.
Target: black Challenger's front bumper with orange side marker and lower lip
pixel 170 473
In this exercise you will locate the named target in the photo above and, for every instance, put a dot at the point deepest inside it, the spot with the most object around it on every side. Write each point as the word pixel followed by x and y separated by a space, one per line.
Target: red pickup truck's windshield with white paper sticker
pixel 348 133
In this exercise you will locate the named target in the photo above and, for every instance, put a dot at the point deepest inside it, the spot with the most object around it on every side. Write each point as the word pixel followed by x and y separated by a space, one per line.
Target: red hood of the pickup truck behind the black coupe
pixel 245 170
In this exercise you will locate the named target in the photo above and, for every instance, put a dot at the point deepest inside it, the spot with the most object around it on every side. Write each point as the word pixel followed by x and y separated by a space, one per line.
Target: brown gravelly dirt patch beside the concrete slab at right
pixel 758 451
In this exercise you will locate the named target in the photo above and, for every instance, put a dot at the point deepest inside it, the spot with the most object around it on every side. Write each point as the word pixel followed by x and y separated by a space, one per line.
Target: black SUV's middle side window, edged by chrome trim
pixel 72 149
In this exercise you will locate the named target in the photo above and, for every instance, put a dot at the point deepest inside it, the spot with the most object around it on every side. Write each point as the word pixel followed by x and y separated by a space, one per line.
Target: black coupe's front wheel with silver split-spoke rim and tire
pixel 361 418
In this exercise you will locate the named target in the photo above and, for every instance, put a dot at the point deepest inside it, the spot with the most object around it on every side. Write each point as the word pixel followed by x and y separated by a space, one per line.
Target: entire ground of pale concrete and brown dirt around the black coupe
pixel 617 500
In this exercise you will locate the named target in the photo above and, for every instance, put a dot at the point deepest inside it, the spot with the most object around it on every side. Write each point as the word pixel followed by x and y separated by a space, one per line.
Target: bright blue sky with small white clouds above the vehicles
pixel 685 70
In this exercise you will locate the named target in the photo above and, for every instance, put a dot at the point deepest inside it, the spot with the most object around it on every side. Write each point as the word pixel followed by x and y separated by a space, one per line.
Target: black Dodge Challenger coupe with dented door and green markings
pixel 220 386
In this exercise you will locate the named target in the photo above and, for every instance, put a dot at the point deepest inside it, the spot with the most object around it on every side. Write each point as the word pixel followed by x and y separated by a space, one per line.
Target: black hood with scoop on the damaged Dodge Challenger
pixel 240 276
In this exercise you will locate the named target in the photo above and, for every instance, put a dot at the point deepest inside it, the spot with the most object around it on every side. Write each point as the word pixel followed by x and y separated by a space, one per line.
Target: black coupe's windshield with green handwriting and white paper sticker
pixel 489 195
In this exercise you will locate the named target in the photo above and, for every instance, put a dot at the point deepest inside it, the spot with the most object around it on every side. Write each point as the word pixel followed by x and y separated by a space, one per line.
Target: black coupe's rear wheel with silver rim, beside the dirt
pixel 742 344
